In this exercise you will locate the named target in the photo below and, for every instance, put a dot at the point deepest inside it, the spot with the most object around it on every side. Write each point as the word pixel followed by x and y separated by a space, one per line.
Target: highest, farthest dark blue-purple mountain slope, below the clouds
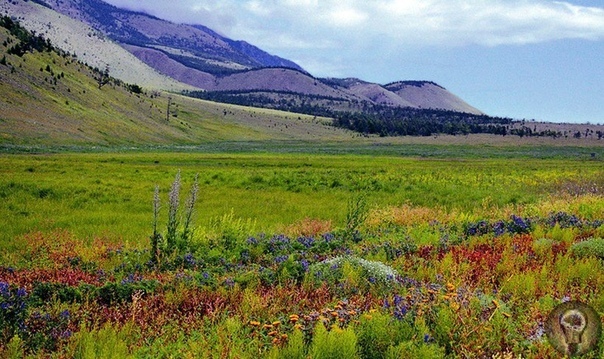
pixel 193 45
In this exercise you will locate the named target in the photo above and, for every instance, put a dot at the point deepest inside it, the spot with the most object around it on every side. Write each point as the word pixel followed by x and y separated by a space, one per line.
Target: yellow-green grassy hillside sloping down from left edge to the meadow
pixel 50 98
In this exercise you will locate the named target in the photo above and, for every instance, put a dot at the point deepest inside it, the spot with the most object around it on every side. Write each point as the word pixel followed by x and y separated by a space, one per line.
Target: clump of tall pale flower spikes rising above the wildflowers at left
pixel 178 229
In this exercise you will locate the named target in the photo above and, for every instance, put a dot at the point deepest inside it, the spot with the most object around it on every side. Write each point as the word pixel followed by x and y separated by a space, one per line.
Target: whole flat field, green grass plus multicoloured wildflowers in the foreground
pixel 299 254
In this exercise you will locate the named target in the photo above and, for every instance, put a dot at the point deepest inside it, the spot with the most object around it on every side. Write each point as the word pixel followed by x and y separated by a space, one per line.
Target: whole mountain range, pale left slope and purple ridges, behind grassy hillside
pixel 140 48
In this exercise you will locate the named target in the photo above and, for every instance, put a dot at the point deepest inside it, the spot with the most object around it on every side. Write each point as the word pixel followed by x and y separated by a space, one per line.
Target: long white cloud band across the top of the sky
pixel 415 22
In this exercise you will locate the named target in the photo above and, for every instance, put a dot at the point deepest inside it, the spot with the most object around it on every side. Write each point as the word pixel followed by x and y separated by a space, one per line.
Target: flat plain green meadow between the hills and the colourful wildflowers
pixel 110 194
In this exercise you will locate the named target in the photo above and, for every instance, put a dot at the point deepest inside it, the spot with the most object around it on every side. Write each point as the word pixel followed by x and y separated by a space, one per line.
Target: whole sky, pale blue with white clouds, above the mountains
pixel 525 59
